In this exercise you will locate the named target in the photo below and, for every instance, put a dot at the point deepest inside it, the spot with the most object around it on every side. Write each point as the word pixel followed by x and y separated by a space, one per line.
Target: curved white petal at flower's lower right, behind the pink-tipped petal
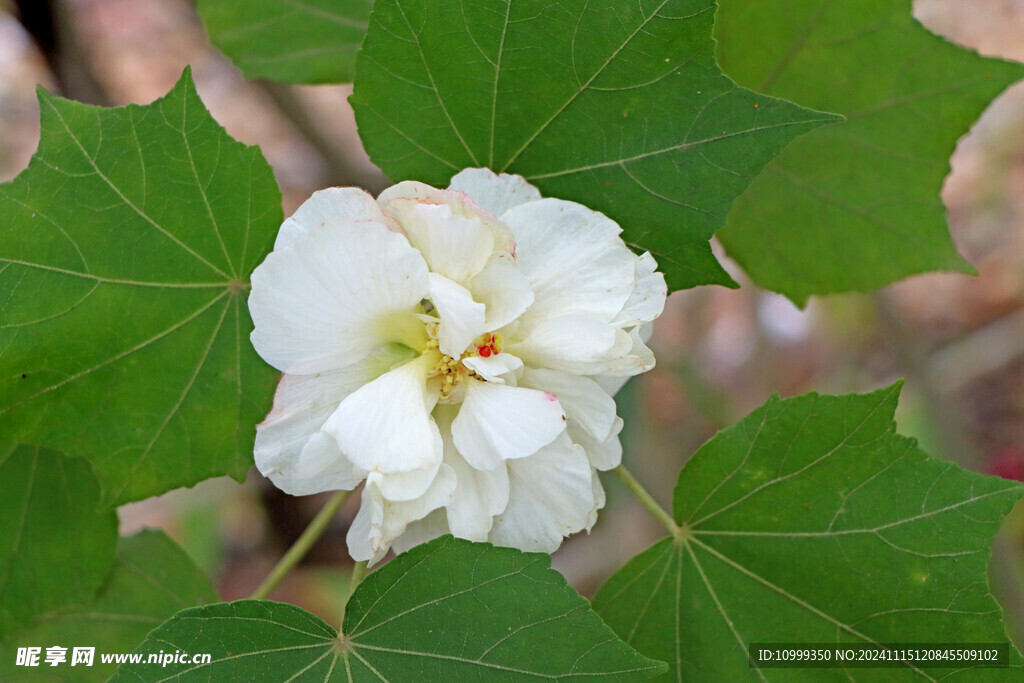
pixel 585 403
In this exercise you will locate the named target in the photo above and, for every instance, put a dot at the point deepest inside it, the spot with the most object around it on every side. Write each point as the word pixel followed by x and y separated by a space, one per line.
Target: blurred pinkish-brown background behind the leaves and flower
pixel 958 340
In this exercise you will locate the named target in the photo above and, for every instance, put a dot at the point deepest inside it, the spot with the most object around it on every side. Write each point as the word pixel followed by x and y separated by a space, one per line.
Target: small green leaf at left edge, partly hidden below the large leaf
pixel 56 549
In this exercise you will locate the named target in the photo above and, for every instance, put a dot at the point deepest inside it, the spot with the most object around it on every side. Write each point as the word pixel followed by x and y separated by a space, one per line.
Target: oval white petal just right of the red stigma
pixel 576 345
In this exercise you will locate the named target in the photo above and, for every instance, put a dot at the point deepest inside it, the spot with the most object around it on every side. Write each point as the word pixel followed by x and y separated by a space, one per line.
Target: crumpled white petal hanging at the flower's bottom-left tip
pixel 380 522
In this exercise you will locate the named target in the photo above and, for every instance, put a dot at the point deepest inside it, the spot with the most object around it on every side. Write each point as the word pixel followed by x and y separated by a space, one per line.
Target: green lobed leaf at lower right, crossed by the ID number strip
pixel 812 521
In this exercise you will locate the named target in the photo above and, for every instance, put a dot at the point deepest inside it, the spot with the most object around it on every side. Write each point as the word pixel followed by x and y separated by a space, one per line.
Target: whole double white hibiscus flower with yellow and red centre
pixel 456 351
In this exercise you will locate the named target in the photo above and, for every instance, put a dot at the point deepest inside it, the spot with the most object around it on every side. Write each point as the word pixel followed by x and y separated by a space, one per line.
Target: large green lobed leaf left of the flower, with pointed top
pixel 125 249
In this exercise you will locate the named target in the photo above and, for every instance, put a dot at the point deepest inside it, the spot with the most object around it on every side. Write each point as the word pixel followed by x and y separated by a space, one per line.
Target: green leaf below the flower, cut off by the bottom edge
pixel 449 610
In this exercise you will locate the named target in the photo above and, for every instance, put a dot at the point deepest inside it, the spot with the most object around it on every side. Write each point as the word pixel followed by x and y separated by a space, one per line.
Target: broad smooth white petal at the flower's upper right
pixel 574 259
